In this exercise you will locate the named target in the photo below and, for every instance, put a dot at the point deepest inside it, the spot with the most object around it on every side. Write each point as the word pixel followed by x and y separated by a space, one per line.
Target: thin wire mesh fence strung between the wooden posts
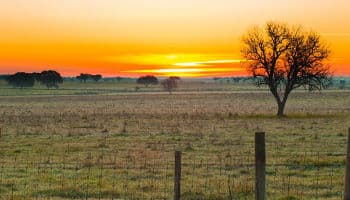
pixel 305 170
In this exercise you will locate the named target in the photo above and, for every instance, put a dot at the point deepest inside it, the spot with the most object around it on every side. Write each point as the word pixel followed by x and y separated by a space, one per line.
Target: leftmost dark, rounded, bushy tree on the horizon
pixel 21 80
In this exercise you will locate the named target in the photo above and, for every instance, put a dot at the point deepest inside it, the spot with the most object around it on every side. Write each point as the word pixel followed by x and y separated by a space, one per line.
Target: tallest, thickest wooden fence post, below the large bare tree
pixel 260 166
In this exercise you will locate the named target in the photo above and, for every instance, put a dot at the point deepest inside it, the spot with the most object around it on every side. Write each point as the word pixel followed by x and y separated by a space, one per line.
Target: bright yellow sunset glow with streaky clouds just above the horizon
pixel 179 65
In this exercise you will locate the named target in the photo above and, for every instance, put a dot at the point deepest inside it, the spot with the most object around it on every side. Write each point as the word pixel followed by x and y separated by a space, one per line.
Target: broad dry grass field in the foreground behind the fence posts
pixel 122 146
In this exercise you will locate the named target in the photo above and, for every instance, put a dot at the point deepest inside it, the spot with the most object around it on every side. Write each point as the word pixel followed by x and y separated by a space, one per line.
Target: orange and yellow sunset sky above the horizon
pixel 188 38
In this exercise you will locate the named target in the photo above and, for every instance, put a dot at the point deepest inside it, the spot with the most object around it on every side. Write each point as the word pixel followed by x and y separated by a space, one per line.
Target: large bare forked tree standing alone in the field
pixel 285 58
